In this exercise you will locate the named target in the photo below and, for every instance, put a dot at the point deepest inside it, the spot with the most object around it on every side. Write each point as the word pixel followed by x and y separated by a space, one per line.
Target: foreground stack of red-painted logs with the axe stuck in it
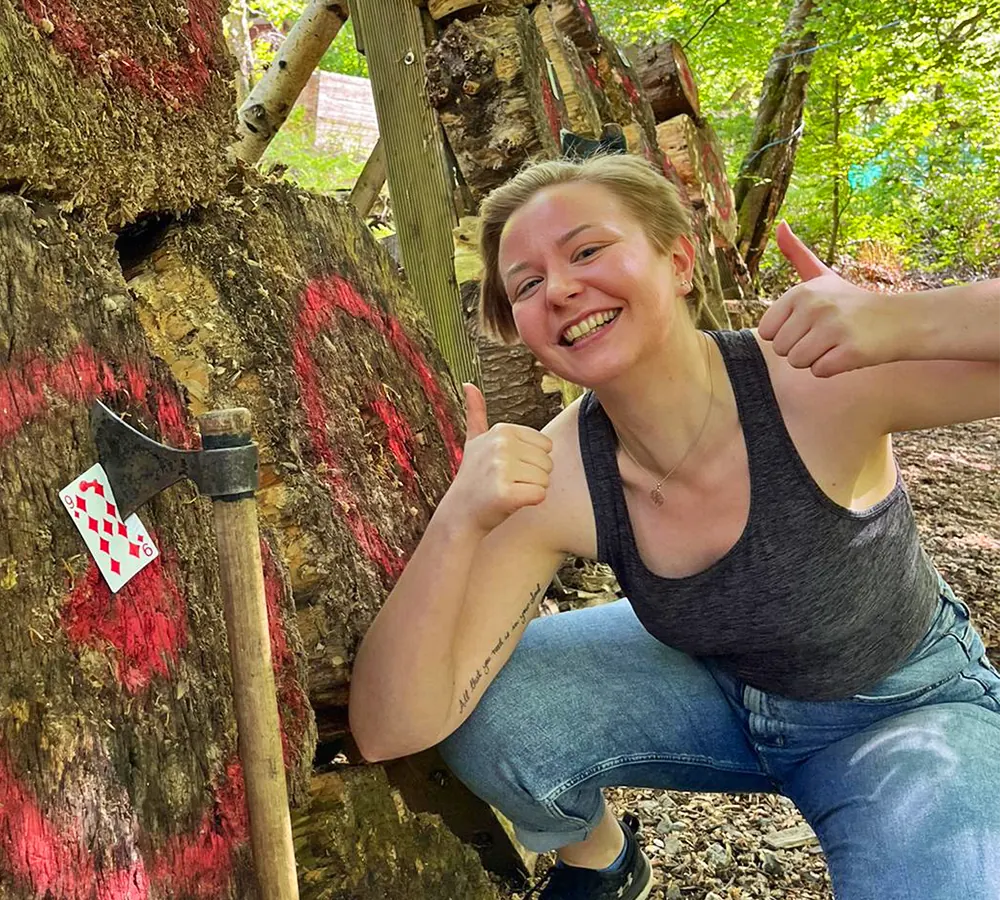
pixel 119 772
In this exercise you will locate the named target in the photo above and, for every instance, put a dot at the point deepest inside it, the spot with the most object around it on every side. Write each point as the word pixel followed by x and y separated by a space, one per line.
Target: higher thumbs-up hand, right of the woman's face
pixel 826 324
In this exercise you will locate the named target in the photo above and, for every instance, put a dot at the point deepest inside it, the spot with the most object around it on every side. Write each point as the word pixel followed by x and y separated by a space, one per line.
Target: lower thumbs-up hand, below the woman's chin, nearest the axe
pixel 504 468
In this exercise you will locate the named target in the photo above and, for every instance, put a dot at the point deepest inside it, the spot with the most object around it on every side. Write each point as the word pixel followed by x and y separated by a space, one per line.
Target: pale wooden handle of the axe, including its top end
pixel 242 581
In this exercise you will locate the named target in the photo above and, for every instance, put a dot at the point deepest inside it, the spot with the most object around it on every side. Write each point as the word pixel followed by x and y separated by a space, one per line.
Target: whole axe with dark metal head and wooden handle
pixel 226 470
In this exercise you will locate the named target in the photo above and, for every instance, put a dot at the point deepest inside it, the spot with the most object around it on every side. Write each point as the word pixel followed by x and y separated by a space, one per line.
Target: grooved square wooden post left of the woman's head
pixel 420 182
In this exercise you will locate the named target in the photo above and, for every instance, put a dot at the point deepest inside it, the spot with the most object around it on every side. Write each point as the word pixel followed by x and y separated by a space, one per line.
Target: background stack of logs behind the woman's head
pixel 505 84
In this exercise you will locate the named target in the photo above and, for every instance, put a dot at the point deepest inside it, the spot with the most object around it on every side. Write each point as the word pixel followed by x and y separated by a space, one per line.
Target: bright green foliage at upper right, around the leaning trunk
pixel 902 113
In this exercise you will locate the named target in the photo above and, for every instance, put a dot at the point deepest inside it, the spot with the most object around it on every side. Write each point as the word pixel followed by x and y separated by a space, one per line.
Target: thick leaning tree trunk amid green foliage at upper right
pixel 767 167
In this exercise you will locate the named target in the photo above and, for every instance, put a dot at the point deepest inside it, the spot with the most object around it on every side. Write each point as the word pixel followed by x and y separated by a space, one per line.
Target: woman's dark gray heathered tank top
pixel 814 601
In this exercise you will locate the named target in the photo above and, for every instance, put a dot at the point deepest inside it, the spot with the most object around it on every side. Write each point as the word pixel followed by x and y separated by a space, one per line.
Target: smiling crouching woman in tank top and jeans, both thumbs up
pixel 783 631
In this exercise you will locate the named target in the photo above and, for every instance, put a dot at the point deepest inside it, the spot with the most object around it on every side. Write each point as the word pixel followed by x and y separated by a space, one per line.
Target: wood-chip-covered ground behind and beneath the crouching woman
pixel 722 846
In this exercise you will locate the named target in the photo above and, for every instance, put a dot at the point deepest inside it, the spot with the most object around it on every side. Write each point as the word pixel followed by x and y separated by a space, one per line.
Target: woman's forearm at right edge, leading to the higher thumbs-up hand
pixel 961 322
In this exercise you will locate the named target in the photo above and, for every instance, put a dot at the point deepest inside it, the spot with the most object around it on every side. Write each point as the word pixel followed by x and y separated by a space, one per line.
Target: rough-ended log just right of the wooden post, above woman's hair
pixel 489 81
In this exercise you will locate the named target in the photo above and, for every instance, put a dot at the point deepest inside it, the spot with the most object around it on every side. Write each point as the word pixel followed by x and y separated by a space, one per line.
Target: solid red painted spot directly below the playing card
pixel 145 622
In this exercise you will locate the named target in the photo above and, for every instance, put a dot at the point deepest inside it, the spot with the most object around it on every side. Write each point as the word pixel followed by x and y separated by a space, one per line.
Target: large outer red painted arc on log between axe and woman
pixel 320 302
